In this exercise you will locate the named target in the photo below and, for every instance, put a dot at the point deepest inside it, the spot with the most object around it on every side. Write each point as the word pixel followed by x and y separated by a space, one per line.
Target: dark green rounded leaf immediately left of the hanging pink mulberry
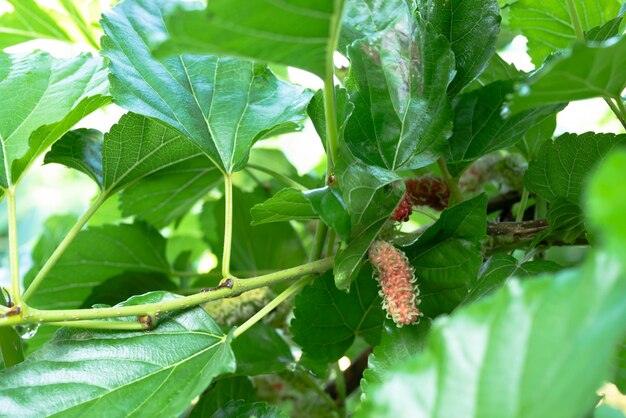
pixel 327 320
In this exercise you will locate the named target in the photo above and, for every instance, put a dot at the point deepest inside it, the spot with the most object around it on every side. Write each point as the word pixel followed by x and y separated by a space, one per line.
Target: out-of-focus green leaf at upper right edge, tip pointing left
pixel 581 72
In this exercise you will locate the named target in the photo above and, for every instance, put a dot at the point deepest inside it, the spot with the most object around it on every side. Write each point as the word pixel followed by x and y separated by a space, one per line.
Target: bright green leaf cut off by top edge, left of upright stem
pixel 299 34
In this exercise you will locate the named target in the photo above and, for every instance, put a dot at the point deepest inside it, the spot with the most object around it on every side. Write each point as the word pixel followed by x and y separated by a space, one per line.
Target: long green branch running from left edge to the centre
pixel 229 288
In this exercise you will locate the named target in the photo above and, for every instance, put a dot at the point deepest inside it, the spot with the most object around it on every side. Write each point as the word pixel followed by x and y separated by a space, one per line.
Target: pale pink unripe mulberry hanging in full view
pixel 397 282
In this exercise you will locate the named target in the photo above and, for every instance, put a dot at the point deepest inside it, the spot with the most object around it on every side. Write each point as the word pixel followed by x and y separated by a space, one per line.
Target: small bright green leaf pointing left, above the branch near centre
pixel 286 205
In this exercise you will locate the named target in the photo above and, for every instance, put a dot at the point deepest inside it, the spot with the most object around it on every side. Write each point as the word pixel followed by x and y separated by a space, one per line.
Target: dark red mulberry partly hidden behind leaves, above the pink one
pixel 422 191
